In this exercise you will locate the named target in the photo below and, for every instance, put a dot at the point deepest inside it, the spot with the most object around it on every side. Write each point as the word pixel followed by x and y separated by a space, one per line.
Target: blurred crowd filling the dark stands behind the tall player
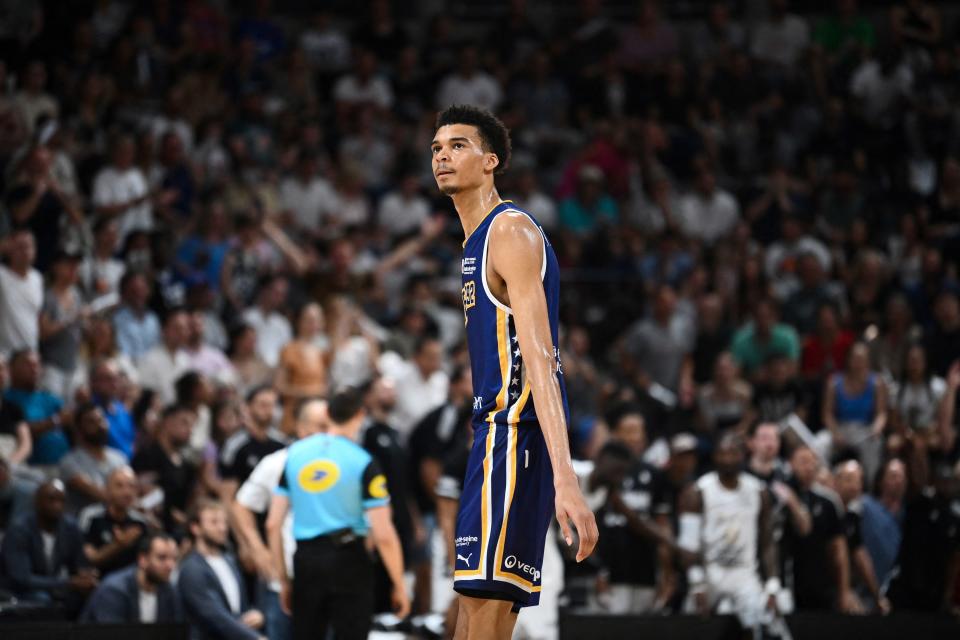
pixel 213 210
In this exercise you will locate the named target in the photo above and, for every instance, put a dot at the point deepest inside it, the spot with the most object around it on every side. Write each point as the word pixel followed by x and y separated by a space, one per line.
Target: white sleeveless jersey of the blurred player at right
pixel 730 521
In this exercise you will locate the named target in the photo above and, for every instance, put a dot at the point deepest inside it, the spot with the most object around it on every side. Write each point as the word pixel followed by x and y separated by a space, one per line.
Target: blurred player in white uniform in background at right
pixel 723 519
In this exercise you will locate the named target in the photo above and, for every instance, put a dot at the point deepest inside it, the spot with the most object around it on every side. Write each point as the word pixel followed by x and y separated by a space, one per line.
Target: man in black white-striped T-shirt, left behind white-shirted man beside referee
pixel 247 447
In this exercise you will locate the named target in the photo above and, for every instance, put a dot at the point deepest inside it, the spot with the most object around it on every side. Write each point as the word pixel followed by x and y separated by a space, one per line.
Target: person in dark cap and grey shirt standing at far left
pixel 61 325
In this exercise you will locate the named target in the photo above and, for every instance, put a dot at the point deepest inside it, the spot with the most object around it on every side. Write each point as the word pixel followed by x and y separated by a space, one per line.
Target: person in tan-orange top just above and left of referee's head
pixel 302 371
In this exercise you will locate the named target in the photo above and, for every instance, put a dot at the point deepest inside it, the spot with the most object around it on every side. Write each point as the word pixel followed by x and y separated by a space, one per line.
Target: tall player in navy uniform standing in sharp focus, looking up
pixel 519 471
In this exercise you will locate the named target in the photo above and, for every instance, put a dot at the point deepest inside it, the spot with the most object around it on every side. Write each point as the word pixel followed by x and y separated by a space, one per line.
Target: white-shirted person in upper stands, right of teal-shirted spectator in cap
pixel 708 213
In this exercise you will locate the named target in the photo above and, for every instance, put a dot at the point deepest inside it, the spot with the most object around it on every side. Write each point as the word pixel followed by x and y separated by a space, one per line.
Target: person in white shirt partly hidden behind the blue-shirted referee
pixel 253 499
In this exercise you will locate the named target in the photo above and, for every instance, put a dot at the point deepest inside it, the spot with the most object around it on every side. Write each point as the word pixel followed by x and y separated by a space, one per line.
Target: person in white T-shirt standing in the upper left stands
pixel 120 190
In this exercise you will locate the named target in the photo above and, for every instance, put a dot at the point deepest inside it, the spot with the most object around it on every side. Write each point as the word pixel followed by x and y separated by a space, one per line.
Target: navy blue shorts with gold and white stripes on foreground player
pixel 505 510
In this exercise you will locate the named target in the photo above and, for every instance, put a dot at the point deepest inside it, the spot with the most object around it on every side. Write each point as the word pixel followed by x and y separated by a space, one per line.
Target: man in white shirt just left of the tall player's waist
pixel 421 384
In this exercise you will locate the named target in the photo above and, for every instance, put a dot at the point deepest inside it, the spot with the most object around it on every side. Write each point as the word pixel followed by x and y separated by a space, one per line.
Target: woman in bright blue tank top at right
pixel 855 410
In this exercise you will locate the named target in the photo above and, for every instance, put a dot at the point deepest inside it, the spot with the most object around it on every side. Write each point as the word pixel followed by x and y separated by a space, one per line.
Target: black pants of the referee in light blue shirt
pixel 332 587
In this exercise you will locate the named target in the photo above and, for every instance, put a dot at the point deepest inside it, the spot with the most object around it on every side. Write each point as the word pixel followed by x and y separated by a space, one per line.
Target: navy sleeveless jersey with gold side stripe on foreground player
pixel 502 392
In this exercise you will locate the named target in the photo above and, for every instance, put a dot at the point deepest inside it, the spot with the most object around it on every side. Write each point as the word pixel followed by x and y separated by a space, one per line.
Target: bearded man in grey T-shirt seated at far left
pixel 87 466
